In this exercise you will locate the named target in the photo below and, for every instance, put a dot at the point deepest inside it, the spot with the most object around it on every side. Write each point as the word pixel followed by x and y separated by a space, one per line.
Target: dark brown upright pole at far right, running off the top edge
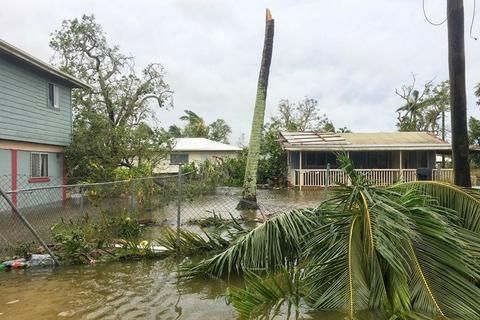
pixel 458 100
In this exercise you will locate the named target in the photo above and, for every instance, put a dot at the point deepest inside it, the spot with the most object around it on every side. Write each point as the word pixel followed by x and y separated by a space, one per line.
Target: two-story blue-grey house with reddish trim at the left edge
pixel 35 120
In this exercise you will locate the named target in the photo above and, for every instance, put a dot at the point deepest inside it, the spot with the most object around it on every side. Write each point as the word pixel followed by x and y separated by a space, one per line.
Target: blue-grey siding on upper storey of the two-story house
pixel 24 107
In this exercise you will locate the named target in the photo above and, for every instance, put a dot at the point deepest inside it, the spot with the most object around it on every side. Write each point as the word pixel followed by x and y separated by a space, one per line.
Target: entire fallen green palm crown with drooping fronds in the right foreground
pixel 408 251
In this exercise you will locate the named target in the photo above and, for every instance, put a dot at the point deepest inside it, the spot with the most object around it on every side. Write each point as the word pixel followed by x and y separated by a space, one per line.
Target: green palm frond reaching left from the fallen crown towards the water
pixel 277 243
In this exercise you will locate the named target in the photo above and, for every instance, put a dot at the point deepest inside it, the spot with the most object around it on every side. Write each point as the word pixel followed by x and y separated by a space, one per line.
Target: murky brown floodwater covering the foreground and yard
pixel 130 290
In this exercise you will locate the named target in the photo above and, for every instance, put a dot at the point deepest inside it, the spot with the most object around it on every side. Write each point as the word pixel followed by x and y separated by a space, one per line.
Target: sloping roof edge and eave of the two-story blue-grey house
pixel 38 64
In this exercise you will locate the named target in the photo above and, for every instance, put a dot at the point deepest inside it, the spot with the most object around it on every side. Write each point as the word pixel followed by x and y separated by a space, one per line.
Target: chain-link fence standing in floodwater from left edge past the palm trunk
pixel 173 201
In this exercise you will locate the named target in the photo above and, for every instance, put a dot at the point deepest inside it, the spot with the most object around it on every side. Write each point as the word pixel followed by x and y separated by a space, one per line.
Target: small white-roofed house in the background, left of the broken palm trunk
pixel 197 150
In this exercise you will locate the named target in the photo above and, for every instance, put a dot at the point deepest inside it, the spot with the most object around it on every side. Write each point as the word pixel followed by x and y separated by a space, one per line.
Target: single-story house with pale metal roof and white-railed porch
pixel 385 157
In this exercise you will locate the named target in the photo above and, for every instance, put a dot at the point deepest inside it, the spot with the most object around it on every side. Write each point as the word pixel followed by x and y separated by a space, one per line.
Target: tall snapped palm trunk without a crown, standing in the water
pixel 249 199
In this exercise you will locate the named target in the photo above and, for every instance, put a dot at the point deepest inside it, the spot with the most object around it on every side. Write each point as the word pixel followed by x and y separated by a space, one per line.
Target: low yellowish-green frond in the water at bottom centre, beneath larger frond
pixel 266 297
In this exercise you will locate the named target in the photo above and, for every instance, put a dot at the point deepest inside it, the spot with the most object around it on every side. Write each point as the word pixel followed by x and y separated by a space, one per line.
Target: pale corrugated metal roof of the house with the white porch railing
pixel 362 141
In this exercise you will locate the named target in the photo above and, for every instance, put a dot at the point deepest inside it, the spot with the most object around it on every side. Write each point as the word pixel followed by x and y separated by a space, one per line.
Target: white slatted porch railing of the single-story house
pixel 380 177
